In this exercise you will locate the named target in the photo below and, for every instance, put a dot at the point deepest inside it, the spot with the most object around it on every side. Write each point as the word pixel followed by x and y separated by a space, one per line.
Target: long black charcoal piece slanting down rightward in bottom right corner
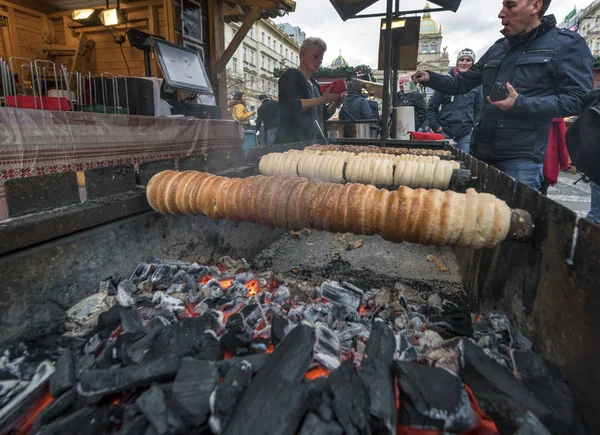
pixel 499 394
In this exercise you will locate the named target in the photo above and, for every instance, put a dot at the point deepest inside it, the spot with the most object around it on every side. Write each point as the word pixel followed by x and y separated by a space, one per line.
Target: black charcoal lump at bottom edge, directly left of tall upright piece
pixel 350 399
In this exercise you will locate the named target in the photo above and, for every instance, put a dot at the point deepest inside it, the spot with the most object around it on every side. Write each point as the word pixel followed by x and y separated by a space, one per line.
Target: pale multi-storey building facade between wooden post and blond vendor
pixel 250 70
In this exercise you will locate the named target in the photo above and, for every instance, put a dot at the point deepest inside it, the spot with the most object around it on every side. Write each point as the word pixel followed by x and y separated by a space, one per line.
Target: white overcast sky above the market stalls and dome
pixel 476 25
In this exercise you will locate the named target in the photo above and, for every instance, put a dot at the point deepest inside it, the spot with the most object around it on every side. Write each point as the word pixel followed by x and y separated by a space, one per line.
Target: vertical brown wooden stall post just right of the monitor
pixel 217 47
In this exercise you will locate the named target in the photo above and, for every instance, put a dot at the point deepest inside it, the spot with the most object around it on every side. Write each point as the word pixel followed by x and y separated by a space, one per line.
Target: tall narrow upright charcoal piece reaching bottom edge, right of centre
pixel 376 374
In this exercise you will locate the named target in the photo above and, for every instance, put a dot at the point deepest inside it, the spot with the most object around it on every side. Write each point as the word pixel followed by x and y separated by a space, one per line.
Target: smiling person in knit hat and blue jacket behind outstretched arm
pixel 454 116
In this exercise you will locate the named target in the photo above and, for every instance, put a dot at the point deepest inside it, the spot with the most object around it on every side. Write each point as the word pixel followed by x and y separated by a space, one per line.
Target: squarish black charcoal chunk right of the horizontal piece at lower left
pixel 195 382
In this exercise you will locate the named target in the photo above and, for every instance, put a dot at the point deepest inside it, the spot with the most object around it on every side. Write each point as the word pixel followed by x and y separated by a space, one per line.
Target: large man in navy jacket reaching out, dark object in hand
pixel 546 70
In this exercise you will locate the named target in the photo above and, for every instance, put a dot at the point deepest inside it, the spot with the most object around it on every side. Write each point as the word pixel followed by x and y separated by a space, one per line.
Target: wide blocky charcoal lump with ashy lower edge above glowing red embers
pixel 433 398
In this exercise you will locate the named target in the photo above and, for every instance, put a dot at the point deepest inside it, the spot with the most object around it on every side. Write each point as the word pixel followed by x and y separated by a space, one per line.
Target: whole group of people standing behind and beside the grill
pixel 499 108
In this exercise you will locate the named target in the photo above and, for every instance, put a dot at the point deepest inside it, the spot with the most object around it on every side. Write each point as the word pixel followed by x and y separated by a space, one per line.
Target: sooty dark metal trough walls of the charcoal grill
pixel 67 251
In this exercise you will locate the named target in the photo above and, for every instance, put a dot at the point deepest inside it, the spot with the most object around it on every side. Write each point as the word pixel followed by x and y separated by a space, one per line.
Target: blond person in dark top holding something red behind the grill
pixel 303 110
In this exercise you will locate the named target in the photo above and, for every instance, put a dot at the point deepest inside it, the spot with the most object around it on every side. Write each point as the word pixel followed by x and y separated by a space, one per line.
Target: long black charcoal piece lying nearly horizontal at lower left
pixel 109 381
